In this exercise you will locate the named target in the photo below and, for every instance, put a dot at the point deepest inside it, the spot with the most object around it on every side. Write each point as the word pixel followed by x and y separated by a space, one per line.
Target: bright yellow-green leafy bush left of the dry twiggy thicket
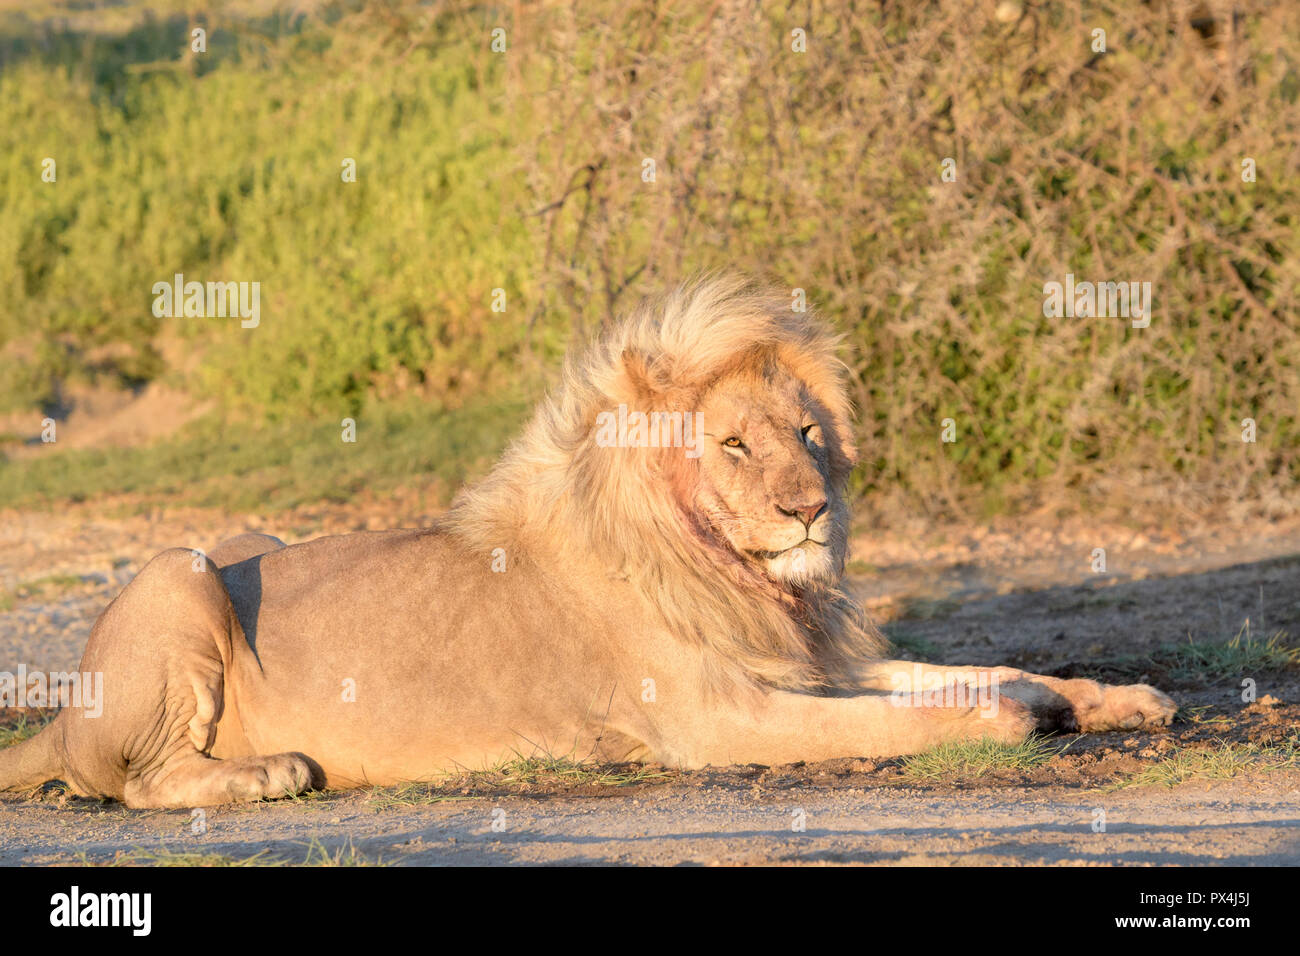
pixel 232 171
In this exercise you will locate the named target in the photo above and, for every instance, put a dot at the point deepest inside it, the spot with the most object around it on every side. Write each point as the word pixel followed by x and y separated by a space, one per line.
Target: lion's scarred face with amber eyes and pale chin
pixel 765 478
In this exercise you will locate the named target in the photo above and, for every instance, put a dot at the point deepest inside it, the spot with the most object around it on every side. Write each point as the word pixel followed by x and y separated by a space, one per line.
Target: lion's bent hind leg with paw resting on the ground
pixel 164 650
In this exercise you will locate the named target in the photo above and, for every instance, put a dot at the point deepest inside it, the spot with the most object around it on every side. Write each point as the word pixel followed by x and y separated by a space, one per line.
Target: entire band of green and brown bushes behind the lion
pixel 818 170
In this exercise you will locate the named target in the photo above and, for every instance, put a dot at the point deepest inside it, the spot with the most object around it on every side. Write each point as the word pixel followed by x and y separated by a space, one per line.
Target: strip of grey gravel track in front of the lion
pixel 703 823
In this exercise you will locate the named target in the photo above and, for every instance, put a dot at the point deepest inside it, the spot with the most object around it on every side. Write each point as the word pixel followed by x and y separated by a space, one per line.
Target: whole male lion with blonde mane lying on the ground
pixel 664 591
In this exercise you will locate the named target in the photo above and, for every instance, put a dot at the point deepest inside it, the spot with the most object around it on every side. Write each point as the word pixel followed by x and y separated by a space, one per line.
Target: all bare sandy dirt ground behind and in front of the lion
pixel 1220 788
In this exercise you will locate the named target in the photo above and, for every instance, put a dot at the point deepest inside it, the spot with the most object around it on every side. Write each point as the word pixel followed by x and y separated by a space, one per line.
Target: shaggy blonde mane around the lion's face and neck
pixel 556 491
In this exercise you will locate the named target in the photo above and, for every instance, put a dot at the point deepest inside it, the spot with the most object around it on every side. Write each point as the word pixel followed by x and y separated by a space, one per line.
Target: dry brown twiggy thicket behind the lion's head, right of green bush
pixel 822 171
